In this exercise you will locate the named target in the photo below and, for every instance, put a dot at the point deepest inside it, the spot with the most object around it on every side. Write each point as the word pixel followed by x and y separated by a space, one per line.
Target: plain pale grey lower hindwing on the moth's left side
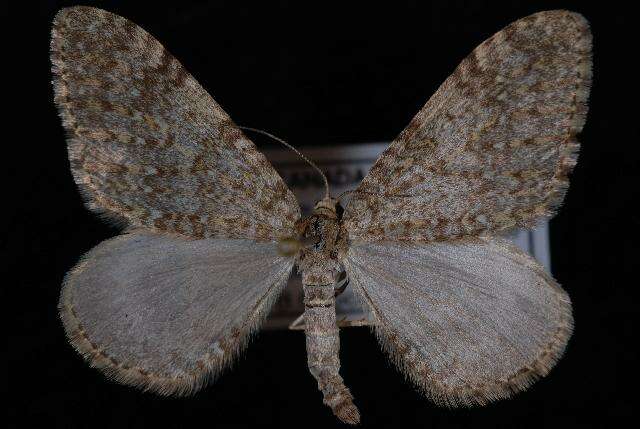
pixel 167 313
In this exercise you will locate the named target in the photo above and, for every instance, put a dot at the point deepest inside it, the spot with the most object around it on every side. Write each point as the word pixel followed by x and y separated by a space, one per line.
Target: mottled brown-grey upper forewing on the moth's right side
pixel 491 150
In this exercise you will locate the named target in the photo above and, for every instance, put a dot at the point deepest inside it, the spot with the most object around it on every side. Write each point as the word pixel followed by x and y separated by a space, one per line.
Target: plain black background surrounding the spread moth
pixel 322 74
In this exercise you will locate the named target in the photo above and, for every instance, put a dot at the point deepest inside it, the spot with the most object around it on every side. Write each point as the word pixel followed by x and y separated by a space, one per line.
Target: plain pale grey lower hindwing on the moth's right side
pixel 468 322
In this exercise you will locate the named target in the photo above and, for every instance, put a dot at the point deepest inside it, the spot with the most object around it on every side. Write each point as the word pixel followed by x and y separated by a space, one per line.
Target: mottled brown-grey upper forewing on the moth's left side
pixel 148 145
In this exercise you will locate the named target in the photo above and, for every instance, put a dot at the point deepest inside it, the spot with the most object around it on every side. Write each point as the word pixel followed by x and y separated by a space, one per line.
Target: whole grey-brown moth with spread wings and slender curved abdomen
pixel 211 232
